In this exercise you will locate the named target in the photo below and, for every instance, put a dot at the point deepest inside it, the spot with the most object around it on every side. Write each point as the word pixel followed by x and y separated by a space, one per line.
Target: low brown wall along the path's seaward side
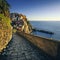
pixel 48 45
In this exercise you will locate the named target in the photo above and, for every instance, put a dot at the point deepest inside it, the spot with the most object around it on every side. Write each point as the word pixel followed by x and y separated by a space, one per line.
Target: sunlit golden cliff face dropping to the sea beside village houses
pixel 27 28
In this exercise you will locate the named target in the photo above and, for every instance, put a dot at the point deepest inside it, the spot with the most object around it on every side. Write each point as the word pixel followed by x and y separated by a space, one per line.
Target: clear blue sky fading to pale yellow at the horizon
pixel 41 10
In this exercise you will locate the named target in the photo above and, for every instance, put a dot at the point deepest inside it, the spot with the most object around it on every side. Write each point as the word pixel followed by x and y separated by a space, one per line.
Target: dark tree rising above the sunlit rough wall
pixel 4 7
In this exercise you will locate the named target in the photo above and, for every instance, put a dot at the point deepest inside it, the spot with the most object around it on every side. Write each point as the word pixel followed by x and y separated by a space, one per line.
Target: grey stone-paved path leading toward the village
pixel 21 49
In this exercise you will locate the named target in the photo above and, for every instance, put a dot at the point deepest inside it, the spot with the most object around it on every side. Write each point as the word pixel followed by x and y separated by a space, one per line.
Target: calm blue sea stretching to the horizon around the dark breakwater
pixel 52 26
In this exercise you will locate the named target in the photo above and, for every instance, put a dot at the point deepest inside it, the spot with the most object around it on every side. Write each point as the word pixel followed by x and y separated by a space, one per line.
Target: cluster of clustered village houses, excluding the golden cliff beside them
pixel 17 21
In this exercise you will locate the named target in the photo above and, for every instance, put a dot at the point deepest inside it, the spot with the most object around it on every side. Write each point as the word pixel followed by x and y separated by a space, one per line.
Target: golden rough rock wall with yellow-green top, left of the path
pixel 5 32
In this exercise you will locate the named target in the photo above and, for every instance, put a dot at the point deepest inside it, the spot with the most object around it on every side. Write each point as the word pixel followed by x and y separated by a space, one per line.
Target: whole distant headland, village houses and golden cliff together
pixel 19 21
